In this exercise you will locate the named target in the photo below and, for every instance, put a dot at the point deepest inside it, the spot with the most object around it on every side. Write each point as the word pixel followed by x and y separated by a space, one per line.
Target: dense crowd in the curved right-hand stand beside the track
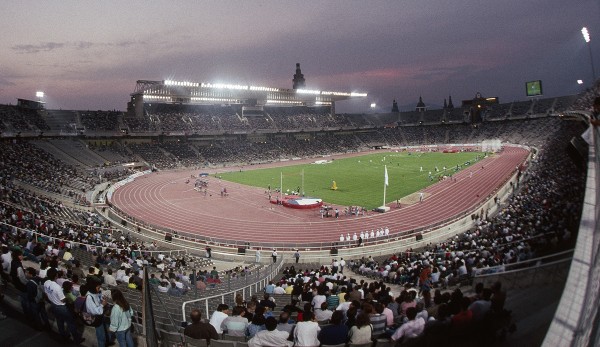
pixel 540 217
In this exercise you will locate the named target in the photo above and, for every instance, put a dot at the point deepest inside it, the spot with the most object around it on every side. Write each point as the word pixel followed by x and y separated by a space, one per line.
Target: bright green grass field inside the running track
pixel 359 180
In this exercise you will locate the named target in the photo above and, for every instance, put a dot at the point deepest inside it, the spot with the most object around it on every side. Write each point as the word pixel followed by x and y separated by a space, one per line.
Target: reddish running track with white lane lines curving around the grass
pixel 164 199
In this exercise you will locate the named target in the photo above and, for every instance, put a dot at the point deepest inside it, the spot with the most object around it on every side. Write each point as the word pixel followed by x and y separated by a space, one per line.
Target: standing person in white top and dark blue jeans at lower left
pixel 56 297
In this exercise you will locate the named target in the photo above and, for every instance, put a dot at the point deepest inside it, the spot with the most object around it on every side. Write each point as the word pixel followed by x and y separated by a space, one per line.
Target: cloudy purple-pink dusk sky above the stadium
pixel 89 54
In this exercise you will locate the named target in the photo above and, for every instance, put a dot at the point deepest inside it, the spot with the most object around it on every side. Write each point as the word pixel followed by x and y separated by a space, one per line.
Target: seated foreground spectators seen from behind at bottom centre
pixel 323 306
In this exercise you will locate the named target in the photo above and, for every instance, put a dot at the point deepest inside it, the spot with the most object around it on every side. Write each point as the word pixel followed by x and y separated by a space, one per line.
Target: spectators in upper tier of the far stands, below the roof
pixel 224 118
